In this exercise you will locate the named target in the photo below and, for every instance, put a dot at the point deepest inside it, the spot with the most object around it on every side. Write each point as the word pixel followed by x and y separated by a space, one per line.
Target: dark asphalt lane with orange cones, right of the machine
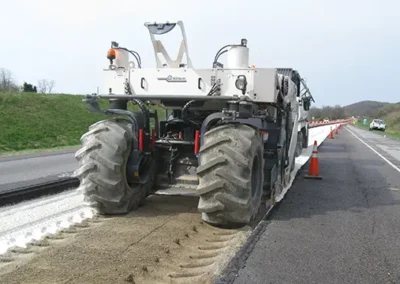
pixel 344 228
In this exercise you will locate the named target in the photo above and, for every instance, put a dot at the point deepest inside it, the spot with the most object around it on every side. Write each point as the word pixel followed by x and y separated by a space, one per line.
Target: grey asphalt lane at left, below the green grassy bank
pixel 30 169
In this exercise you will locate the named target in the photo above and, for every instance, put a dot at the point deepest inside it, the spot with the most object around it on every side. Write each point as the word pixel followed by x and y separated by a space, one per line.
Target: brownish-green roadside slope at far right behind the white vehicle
pixel 391 115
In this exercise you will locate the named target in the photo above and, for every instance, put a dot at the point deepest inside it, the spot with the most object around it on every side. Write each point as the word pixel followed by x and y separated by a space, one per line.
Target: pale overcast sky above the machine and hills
pixel 348 50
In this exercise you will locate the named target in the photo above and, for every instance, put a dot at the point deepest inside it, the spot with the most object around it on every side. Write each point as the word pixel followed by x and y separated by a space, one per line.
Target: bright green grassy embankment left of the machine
pixel 44 122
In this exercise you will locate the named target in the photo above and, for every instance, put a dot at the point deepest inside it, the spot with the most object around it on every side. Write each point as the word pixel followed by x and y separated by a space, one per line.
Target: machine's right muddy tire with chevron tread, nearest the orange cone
pixel 230 175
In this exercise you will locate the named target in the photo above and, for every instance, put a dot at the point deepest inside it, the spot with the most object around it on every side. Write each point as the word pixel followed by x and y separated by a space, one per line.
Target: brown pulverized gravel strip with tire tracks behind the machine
pixel 163 242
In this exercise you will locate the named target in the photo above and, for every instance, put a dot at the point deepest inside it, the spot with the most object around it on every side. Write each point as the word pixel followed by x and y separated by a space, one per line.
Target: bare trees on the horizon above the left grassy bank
pixel 8 84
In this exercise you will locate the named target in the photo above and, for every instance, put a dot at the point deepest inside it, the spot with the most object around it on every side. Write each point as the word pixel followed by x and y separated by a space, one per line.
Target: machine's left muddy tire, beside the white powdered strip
pixel 102 168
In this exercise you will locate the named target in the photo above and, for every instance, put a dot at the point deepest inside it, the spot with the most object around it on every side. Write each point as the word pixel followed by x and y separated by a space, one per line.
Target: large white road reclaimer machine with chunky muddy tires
pixel 230 135
